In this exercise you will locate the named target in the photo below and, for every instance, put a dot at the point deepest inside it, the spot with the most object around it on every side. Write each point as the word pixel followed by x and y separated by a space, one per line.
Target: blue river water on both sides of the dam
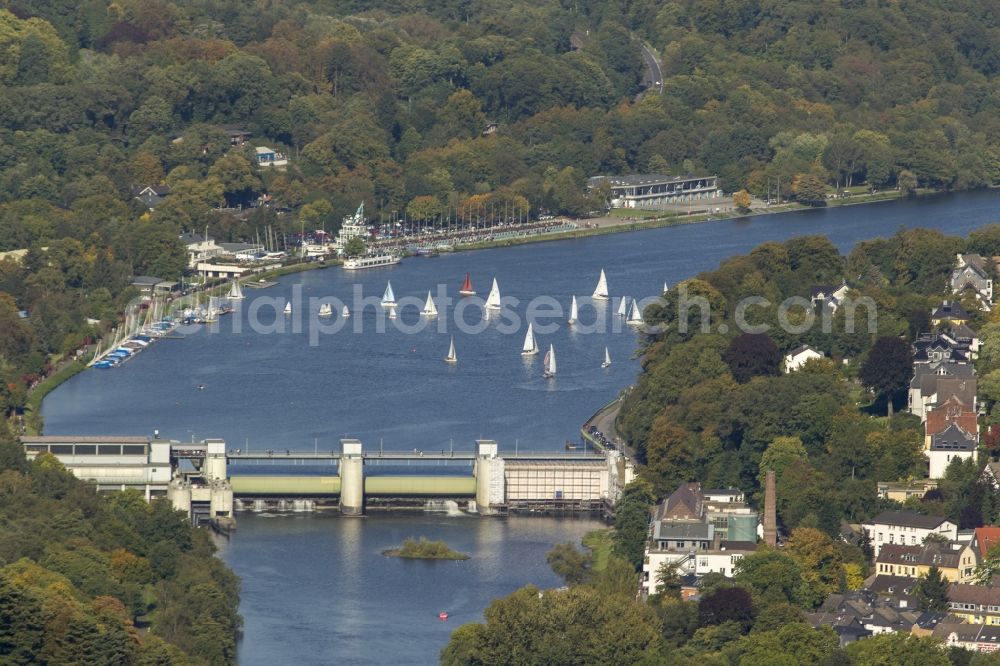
pixel 316 589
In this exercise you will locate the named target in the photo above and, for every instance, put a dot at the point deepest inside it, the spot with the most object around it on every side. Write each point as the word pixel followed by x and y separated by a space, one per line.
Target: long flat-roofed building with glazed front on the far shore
pixel 658 191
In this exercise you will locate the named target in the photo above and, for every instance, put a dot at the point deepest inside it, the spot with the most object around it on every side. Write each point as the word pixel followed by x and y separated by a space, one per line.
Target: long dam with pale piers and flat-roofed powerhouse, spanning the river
pixel 209 481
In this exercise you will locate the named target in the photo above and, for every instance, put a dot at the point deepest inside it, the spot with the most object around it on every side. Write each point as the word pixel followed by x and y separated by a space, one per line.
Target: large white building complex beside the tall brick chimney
pixel 700 531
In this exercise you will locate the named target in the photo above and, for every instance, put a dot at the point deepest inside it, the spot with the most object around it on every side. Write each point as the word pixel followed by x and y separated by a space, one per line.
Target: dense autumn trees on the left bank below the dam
pixel 105 579
